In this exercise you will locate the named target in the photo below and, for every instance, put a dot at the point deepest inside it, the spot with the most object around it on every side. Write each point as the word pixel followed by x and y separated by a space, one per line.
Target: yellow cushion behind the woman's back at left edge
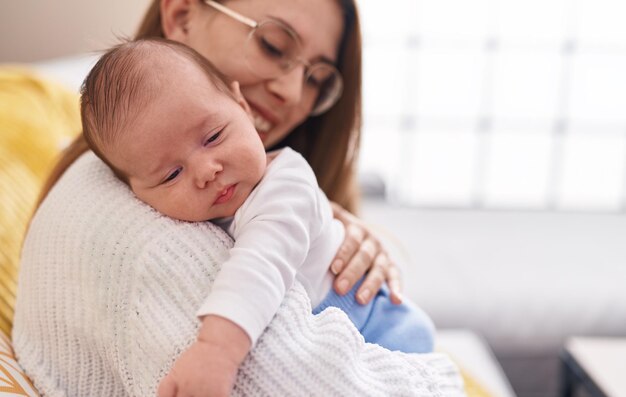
pixel 37 118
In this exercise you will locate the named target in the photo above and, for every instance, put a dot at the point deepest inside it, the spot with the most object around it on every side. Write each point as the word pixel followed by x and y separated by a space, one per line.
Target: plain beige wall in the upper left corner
pixel 32 30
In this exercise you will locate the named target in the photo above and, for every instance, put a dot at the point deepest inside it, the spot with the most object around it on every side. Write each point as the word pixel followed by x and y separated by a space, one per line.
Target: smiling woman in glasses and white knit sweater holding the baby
pixel 138 277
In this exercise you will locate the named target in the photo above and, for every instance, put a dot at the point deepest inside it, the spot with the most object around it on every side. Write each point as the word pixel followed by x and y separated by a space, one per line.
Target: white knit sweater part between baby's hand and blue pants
pixel 325 355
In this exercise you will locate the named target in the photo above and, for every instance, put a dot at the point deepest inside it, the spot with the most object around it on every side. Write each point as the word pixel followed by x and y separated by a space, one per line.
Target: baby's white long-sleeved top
pixel 284 231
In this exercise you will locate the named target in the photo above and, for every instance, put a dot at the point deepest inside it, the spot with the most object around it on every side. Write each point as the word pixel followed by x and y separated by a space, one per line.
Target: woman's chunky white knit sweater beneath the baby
pixel 107 297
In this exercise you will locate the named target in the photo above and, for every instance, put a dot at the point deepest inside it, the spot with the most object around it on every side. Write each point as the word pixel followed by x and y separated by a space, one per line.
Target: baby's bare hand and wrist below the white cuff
pixel 209 366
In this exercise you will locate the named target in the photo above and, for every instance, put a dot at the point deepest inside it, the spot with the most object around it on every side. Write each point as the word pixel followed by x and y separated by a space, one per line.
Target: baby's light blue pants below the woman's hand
pixel 403 327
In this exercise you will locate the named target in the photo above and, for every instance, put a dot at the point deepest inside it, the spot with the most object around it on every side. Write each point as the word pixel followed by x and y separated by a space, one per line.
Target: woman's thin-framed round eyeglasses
pixel 273 49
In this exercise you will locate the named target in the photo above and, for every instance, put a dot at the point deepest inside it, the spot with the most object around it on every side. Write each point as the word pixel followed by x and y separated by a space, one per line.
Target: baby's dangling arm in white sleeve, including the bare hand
pixel 270 245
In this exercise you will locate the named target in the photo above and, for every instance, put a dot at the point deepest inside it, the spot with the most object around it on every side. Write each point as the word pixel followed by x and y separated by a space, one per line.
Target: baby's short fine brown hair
pixel 122 82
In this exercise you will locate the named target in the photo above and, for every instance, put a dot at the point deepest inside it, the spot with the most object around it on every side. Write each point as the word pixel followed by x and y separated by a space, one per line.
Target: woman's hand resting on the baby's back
pixel 361 252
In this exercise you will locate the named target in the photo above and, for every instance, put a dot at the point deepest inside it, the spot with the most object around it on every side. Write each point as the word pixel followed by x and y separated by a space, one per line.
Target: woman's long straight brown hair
pixel 330 142
